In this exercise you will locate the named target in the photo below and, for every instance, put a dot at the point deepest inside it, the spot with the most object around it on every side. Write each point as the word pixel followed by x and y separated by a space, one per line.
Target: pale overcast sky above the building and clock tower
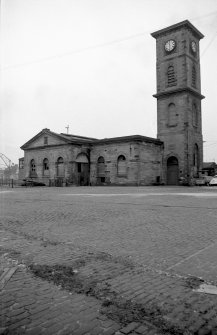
pixel 91 64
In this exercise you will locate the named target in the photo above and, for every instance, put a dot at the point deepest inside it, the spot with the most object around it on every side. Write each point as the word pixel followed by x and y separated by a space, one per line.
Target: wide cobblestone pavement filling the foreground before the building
pixel 108 260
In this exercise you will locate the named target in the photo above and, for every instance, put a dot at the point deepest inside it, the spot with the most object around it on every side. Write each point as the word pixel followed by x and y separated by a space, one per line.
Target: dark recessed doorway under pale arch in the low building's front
pixel 82 169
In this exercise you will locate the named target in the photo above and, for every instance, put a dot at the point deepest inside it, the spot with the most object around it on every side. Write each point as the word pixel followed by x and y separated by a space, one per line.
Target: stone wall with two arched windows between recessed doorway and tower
pixel 143 163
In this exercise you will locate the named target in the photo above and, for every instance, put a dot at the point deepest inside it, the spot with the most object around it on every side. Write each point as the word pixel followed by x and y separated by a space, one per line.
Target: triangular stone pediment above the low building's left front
pixel 44 139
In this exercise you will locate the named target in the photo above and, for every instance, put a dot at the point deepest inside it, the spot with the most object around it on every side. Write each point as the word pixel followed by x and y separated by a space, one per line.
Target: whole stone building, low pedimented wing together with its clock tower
pixel 174 157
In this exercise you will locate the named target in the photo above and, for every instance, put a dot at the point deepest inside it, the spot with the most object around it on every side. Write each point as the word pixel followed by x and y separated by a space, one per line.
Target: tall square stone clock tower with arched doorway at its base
pixel 179 102
